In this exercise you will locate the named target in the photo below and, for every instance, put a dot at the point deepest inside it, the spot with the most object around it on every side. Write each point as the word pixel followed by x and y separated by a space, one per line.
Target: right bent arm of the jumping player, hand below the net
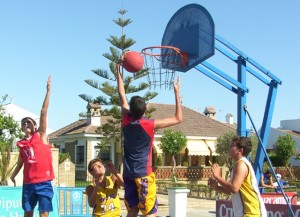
pixel 166 122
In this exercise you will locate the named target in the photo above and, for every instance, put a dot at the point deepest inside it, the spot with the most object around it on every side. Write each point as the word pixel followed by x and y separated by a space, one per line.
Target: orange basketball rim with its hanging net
pixel 162 62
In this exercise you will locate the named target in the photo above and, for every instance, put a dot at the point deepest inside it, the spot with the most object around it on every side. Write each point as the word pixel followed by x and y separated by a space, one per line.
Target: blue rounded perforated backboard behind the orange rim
pixel 192 30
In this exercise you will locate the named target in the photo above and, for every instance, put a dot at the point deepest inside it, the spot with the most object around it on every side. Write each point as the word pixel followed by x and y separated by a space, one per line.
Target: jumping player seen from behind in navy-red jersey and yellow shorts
pixel 138 132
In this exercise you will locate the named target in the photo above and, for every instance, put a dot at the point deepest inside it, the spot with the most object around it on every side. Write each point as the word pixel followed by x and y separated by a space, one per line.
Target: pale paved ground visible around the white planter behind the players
pixel 195 207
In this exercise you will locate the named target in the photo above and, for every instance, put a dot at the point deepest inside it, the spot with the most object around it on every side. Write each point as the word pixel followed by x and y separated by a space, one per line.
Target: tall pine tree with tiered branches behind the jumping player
pixel 107 84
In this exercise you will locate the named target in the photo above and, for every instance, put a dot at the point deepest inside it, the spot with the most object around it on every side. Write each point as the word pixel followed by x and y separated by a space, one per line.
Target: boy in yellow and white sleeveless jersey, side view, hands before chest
pixel 243 187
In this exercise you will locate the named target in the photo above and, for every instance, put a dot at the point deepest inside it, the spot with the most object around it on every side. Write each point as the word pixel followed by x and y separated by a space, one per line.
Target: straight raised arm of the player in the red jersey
pixel 43 115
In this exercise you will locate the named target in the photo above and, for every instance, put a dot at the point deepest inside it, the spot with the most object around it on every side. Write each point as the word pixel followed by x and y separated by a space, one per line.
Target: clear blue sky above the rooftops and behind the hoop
pixel 67 39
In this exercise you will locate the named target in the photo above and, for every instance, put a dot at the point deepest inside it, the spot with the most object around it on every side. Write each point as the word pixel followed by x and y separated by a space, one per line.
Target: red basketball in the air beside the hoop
pixel 133 61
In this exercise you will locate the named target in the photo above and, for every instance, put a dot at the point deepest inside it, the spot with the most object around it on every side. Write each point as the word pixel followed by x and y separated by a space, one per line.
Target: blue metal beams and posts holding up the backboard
pixel 239 87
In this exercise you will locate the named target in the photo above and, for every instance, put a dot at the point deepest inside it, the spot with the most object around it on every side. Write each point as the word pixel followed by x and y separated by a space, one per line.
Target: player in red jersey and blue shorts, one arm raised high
pixel 36 156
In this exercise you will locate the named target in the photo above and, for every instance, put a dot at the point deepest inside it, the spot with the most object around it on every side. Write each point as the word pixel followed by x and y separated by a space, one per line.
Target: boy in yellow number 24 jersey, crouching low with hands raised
pixel 103 192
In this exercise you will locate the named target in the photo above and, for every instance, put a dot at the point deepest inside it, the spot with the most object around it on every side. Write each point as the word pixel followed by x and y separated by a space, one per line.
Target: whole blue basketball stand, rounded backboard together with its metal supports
pixel 191 30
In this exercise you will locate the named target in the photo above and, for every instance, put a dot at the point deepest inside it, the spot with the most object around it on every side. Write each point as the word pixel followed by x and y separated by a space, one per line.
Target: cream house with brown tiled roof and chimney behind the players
pixel 81 138
